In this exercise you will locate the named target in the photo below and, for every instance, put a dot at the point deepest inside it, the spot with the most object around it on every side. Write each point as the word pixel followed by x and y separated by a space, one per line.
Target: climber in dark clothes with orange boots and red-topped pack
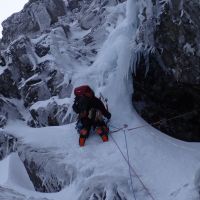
pixel 90 112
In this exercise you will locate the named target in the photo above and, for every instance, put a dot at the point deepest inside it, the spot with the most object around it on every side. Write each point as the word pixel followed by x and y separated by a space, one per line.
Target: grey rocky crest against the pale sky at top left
pixel 36 17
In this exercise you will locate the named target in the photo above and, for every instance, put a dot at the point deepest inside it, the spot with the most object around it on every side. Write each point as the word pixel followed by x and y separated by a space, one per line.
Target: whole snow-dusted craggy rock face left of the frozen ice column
pixel 42 51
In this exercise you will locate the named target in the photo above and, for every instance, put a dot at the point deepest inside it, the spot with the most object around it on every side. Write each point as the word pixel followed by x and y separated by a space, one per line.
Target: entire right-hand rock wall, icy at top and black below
pixel 167 75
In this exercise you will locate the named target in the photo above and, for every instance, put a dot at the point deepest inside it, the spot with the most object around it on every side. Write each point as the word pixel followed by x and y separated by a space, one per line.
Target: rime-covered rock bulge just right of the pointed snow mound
pixel 45 169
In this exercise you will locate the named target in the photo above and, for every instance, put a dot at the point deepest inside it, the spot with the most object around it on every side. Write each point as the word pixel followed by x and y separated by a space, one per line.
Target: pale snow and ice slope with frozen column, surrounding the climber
pixel 161 168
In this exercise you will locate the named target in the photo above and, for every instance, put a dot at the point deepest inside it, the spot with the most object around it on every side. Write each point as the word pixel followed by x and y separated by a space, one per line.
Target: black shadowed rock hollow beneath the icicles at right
pixel 158 96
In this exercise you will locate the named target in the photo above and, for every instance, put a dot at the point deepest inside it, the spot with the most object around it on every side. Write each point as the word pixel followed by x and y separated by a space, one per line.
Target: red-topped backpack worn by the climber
pixel 83 95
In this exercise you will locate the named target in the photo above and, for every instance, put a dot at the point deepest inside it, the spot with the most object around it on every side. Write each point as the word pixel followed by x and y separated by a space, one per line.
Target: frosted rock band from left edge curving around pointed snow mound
pixel 45 169
